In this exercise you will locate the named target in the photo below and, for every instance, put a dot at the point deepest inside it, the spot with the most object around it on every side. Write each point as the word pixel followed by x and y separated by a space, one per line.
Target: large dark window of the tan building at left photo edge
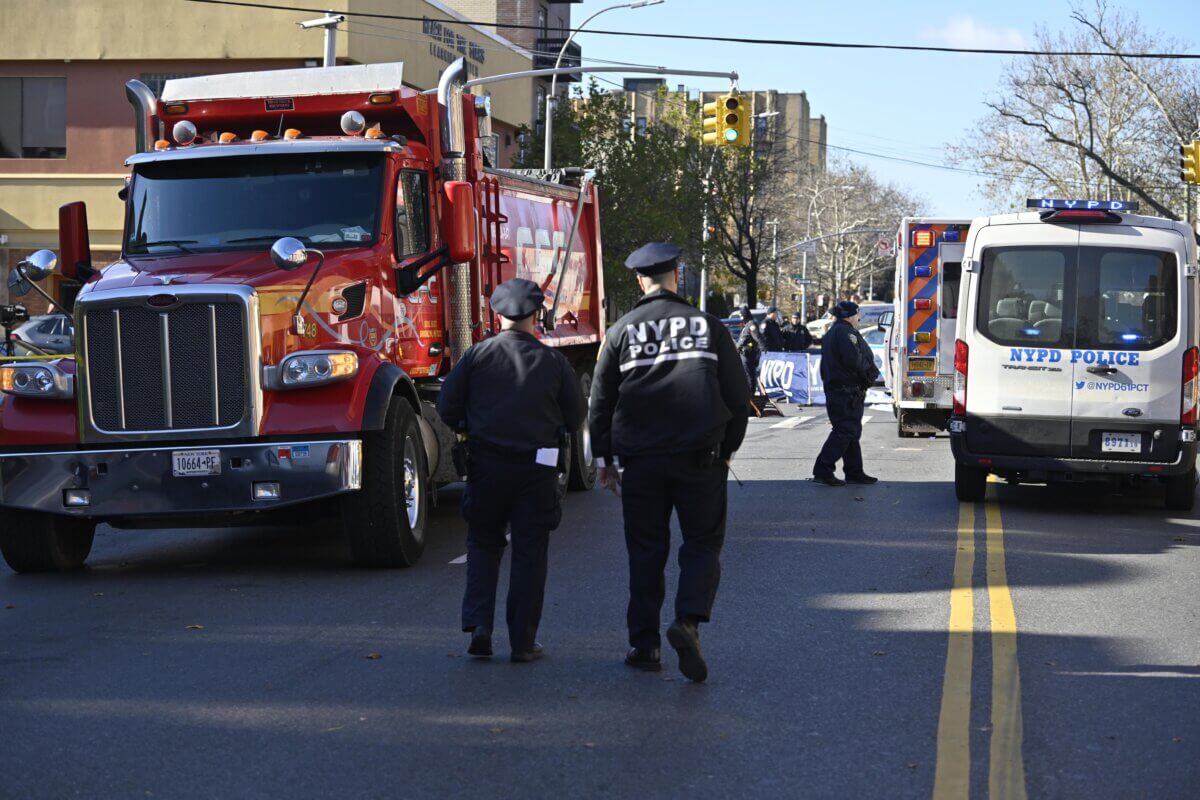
pixel 33 118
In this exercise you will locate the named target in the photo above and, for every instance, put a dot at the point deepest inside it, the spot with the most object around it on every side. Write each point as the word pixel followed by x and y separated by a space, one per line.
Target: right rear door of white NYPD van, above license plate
pixel 1131 339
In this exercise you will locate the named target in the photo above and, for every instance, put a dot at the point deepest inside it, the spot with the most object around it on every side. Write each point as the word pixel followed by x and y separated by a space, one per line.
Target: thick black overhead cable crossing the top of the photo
pixel 734 40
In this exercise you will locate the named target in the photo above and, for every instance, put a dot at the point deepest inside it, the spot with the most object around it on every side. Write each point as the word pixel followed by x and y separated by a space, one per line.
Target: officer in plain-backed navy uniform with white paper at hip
pixel 514 398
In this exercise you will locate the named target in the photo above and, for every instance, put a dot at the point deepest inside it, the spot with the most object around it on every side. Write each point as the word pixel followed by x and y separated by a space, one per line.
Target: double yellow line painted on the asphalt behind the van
pixel 1006 773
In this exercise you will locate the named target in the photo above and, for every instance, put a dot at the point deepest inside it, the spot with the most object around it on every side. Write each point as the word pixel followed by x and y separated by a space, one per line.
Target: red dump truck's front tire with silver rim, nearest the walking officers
pixel 386 521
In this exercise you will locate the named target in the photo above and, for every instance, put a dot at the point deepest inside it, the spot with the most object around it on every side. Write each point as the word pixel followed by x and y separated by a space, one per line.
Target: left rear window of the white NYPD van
pixel 1024 294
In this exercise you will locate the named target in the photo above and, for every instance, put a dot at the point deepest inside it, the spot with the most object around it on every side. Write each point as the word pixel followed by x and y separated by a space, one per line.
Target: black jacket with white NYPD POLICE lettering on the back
pixel 669 382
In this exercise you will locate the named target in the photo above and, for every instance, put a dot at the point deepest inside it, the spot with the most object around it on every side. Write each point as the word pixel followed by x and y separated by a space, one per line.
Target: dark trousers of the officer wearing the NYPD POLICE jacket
pixel 652 489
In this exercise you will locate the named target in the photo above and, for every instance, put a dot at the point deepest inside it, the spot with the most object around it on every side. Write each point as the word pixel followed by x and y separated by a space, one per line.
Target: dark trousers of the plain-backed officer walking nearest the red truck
pixel 505 494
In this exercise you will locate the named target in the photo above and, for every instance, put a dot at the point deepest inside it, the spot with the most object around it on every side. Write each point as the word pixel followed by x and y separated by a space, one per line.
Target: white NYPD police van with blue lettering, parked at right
pixel 1076 356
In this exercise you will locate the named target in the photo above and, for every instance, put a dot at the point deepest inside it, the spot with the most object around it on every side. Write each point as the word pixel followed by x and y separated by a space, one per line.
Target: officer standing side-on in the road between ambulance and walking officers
pixel 848 371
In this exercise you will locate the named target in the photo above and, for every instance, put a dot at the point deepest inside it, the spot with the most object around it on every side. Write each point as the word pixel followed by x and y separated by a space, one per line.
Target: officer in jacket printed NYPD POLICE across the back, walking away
pixel 670 404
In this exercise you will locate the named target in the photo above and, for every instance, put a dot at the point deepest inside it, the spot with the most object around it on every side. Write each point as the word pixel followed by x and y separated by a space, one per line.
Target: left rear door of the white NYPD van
pixel 1021 335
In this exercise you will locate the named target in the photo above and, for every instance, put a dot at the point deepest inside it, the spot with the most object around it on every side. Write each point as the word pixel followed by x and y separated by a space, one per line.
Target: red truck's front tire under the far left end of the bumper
pixel 45 543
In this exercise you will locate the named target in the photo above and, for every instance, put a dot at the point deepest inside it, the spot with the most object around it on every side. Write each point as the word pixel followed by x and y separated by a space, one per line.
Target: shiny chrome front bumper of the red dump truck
pixel 137 483
